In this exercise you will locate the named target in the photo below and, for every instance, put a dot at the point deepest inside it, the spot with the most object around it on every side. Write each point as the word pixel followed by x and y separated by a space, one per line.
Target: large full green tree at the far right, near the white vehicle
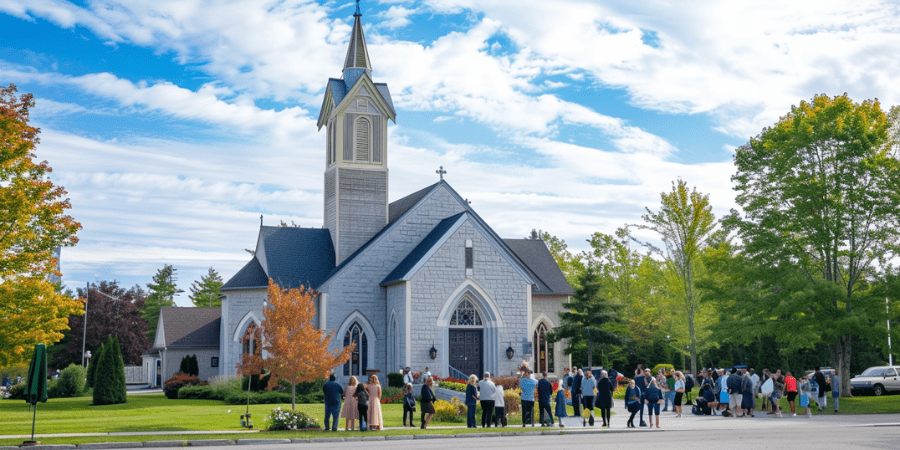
pixel 820 191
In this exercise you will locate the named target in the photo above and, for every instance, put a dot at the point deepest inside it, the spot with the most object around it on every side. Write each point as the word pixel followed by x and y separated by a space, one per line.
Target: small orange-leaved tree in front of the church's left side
pixel 297 350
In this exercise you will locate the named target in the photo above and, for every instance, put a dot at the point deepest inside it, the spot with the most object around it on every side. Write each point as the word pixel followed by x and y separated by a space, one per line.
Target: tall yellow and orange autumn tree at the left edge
pixel 32 224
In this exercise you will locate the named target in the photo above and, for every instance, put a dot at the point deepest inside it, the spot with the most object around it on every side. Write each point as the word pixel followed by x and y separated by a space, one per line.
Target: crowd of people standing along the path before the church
pixel 734 392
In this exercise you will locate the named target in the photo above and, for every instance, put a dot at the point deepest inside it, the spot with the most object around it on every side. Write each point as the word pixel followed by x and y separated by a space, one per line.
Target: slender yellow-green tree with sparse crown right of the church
pixel 685 224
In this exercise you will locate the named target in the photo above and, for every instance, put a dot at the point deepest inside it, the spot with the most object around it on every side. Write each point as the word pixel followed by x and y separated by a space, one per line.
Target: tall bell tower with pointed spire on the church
pixel 355 112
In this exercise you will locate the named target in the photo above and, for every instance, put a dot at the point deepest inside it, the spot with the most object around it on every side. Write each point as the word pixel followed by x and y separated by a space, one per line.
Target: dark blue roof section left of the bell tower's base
pixel 291 256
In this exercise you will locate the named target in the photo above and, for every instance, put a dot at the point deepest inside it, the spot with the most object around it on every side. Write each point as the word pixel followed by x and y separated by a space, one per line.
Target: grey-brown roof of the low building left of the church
pixel 191 327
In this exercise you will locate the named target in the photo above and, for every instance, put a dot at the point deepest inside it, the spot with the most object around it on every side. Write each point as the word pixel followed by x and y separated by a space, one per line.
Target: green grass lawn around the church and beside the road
pixel 155 413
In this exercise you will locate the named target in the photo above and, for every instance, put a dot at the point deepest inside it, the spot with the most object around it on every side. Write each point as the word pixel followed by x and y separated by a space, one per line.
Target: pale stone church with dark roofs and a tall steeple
pixel 421 282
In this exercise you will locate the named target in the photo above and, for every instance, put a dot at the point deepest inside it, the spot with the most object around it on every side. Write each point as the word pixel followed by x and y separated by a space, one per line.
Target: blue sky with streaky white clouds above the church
pixel 175 124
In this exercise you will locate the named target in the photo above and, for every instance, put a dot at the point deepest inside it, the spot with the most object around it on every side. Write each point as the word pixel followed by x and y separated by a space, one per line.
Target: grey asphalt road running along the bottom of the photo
pixel 823 432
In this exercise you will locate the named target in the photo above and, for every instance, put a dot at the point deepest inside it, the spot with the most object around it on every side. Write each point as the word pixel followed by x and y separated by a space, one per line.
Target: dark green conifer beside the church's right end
pixel 590 319
